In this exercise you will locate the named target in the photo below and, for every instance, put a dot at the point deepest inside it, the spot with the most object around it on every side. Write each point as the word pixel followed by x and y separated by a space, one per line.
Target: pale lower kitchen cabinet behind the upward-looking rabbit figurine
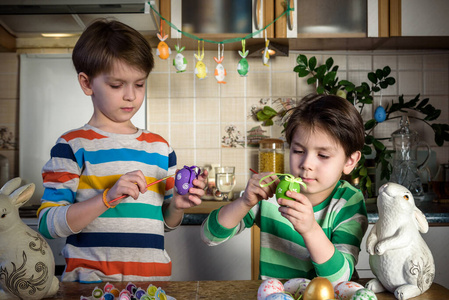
pixel 436 239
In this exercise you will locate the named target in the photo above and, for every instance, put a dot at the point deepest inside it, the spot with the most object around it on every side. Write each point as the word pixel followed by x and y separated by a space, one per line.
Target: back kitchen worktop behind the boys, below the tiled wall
pixel 437 213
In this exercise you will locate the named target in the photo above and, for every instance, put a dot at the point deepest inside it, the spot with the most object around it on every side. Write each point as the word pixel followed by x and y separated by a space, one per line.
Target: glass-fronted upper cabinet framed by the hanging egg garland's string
pixel 228 19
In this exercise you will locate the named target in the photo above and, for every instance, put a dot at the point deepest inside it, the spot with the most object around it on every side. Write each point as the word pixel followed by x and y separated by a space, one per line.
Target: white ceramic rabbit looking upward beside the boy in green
pixel 399 257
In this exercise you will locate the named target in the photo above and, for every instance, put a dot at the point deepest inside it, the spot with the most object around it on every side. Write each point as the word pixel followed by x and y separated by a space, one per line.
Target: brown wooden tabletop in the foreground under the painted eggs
pixel 239 289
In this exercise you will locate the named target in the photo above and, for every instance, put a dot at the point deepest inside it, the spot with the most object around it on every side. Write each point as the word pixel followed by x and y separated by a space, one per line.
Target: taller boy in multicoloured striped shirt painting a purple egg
pixel 96 180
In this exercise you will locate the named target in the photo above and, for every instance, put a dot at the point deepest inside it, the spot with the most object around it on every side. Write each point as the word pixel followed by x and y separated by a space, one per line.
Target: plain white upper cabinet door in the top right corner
pixel 425 18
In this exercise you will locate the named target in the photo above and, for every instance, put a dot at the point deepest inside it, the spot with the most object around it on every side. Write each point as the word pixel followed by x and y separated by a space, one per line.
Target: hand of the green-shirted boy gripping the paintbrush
pixel 254 192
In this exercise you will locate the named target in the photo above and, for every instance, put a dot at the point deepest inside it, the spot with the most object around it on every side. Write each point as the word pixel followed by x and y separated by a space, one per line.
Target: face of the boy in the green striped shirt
pixel 320 161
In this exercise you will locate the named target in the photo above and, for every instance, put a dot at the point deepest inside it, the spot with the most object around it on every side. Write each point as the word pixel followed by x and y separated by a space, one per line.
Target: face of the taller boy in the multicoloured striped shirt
pixel 116 95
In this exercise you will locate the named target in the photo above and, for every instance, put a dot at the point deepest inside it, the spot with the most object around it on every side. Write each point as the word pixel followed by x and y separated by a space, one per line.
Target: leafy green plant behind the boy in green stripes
pixel 325 78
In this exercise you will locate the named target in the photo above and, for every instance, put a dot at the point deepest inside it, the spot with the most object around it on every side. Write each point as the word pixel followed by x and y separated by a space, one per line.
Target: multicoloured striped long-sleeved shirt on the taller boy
pixel 125 243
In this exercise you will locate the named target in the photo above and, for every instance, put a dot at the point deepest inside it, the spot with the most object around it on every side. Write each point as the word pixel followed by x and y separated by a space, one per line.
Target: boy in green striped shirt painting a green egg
pixel 320 231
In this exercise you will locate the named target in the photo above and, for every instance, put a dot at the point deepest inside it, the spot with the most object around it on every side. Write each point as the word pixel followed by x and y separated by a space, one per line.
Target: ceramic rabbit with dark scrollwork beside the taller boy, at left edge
pixel 27 264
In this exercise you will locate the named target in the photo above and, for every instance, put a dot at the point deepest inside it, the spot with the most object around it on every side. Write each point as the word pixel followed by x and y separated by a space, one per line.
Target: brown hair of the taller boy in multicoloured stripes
pixel 105 41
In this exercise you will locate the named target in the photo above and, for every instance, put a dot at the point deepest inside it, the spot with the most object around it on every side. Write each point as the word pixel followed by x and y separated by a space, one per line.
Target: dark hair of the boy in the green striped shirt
pixel 333 114
